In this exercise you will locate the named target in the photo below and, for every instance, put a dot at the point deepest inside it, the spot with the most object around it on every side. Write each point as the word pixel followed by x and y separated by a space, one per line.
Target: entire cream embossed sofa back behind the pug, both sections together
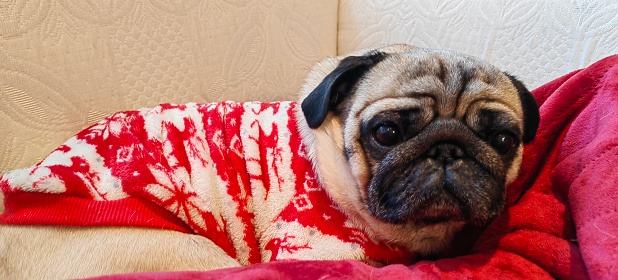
pixel 65 64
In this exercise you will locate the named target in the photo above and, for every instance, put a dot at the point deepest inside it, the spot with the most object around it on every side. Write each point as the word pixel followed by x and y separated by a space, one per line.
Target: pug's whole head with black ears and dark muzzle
pixel 416 143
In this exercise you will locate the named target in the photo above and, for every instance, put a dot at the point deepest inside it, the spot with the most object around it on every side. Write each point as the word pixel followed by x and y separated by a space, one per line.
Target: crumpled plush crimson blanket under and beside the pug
pixel 563 216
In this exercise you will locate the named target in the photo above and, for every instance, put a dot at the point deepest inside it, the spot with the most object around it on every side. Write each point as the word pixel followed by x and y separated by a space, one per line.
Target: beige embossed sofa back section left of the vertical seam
pixel 67 64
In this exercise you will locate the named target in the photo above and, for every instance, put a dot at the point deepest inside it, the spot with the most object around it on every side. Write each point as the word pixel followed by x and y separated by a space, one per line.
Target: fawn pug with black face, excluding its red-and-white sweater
pixel 410 144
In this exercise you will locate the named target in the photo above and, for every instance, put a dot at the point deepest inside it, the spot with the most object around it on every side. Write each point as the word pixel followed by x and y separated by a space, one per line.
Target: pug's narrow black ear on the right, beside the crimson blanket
pixel 531 109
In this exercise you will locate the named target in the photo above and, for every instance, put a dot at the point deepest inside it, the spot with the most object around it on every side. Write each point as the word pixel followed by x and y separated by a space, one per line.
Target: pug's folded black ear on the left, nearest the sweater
pixel 336 86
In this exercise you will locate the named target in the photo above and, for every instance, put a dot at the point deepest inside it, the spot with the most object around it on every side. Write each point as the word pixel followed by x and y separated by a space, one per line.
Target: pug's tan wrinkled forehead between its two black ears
pixel 451 80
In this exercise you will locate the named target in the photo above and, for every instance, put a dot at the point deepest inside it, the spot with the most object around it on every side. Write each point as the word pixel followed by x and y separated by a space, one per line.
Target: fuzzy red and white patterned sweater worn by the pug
pixel 236 173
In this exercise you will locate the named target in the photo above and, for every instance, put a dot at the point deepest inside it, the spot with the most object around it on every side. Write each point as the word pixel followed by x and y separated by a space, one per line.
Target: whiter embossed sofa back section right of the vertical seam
pixel 537 41
